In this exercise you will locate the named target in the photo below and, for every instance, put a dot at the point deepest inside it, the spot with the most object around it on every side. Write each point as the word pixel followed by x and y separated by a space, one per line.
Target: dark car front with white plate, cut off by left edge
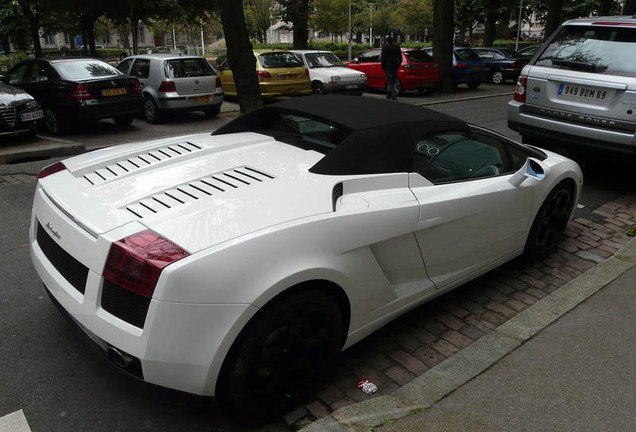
pixel 19 112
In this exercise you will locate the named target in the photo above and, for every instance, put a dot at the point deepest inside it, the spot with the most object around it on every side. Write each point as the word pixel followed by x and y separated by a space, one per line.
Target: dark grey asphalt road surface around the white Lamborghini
pixel 47 372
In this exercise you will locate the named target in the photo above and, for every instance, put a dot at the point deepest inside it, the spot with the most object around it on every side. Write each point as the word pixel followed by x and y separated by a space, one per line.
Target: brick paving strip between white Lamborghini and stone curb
pixel 429 334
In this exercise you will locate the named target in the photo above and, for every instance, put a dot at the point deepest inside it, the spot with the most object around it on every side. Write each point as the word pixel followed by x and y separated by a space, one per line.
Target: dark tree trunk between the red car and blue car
pixel 443 31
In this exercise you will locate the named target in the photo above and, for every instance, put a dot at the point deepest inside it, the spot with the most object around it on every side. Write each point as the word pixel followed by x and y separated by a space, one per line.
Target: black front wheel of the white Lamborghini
pixel 550 221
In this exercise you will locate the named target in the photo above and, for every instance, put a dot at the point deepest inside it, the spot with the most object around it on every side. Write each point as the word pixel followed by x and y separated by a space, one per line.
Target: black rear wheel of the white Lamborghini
pixel 282 353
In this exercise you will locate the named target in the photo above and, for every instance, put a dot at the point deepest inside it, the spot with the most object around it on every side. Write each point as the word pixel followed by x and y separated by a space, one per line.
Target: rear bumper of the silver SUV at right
pixel 541 129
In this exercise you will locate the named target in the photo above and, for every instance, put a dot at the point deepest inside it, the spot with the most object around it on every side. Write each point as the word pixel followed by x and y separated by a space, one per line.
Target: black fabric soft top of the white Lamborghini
pixel 380 134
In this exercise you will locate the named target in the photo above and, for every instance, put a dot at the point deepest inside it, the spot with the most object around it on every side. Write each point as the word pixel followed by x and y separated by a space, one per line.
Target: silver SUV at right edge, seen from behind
pixel 580 87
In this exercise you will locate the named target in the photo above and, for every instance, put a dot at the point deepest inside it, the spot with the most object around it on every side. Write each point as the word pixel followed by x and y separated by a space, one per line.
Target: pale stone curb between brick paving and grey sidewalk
pixel 427 389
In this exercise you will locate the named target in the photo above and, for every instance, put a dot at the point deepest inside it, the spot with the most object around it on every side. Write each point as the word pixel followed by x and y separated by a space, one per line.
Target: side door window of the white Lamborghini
pixel 450 157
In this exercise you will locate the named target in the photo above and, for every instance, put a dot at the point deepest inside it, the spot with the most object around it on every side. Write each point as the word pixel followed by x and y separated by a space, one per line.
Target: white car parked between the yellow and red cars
pixel 329 75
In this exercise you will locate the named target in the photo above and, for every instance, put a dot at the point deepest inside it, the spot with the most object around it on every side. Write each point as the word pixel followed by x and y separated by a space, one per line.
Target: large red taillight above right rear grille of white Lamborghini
pixel 136 262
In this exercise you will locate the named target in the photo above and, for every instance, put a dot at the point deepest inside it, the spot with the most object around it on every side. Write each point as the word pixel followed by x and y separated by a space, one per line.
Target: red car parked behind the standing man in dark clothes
pixel 418 70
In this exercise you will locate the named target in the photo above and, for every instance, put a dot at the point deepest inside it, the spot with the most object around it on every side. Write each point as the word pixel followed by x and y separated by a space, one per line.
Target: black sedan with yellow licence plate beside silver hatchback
pixel 77 89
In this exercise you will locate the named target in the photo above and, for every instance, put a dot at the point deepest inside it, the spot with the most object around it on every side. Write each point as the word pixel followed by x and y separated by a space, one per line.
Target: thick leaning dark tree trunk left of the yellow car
pixel 240 55
